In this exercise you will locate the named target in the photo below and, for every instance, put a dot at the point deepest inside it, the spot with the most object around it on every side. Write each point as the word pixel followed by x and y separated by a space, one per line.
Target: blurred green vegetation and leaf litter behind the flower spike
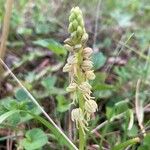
pixel 119 35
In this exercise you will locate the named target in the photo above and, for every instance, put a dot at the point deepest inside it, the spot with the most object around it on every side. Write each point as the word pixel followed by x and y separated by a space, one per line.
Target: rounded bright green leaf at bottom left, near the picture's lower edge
pixel 35 139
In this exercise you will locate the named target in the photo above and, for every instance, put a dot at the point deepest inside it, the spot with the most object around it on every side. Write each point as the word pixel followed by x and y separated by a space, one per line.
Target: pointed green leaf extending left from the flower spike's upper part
pixel 52 45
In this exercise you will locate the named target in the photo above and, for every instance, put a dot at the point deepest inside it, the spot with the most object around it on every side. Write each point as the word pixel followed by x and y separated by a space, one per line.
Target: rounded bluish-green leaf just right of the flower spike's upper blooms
pixel 98 59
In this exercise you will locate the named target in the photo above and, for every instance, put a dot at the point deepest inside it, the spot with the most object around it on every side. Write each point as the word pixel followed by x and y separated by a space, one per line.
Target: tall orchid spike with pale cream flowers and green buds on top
pixel 79 67
